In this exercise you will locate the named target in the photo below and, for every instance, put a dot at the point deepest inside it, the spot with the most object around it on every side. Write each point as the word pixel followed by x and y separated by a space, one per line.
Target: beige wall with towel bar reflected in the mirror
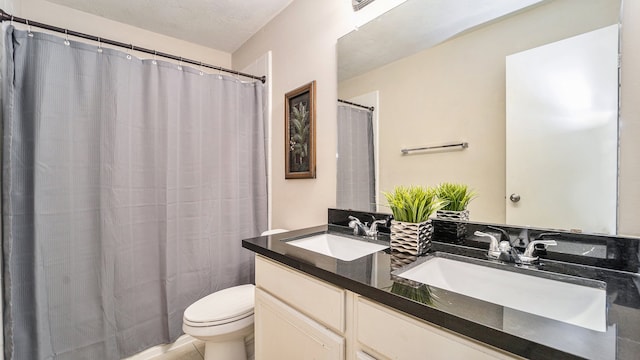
pixel 456 92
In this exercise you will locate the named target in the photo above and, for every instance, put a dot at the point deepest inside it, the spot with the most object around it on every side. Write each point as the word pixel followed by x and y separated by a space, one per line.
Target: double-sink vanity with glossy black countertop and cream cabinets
pixel 310 304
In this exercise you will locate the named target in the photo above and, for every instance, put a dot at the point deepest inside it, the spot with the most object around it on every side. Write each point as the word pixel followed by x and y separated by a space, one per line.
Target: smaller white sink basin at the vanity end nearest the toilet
pixel 338 247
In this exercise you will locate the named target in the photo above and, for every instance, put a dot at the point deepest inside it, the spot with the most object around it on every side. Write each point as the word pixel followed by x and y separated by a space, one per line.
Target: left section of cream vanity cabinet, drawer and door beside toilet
pixel 297 316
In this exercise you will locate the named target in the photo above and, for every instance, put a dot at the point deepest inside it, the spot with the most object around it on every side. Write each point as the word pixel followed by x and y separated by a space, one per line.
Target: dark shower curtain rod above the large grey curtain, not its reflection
pixel 4 16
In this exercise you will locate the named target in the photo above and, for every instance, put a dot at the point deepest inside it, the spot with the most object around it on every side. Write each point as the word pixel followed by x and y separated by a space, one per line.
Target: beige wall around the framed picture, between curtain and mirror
pixel 303 43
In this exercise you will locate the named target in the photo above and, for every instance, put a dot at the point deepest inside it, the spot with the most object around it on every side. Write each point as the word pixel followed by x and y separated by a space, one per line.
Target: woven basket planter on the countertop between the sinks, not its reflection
pixel 411 238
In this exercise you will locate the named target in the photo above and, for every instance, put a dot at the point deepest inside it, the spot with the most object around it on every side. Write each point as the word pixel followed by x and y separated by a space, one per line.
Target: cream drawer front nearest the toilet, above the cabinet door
pixel 315 298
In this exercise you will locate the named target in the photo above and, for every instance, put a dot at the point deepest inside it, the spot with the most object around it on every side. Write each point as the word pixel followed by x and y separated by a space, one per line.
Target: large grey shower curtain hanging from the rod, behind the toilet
pixel 127 187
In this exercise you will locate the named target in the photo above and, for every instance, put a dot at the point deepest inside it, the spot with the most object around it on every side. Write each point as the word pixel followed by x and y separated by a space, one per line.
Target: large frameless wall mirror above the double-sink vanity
pixel 436 73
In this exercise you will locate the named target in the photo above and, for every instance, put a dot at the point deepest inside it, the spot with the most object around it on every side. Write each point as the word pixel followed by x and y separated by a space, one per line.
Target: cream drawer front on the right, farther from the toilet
pixel 397 336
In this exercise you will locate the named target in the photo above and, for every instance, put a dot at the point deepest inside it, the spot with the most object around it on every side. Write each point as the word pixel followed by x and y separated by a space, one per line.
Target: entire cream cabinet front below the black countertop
pixel 300 317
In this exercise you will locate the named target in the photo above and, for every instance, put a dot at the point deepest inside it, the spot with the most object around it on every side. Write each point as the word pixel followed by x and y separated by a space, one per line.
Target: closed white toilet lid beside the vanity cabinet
pixel 222 306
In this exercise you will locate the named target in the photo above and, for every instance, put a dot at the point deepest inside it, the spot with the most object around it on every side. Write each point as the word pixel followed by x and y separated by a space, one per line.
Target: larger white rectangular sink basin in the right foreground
pixel 578 304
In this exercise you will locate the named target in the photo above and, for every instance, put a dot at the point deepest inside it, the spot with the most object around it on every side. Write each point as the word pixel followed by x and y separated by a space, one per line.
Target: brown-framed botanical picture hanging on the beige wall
pixel 300 132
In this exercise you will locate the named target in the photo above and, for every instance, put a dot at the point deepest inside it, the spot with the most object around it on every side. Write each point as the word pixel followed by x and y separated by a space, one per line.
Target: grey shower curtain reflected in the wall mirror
pixel 356 165
